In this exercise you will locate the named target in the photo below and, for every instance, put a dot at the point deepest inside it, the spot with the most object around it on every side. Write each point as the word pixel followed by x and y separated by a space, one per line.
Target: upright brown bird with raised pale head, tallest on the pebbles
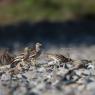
pixel 35 52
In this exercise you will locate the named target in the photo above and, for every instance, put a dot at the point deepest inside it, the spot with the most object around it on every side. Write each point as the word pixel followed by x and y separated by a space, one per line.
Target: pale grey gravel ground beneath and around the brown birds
pixel 45 79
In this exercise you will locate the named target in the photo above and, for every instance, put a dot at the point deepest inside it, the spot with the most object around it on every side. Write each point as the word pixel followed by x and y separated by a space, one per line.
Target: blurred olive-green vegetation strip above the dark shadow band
pixel 36 10
